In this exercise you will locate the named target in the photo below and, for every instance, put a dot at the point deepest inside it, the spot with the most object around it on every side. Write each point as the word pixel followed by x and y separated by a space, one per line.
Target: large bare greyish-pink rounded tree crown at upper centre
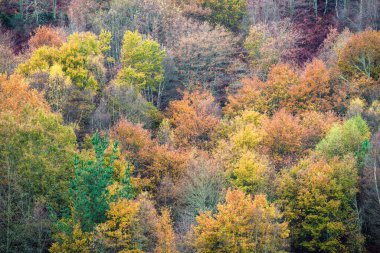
pixel 206 56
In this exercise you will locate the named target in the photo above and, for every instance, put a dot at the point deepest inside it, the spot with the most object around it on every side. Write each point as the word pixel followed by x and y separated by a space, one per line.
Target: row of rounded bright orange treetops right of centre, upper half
pixel 285 88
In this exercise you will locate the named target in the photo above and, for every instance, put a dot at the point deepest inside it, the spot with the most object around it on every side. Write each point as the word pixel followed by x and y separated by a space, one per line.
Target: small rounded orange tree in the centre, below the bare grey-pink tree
pixel 194 118
